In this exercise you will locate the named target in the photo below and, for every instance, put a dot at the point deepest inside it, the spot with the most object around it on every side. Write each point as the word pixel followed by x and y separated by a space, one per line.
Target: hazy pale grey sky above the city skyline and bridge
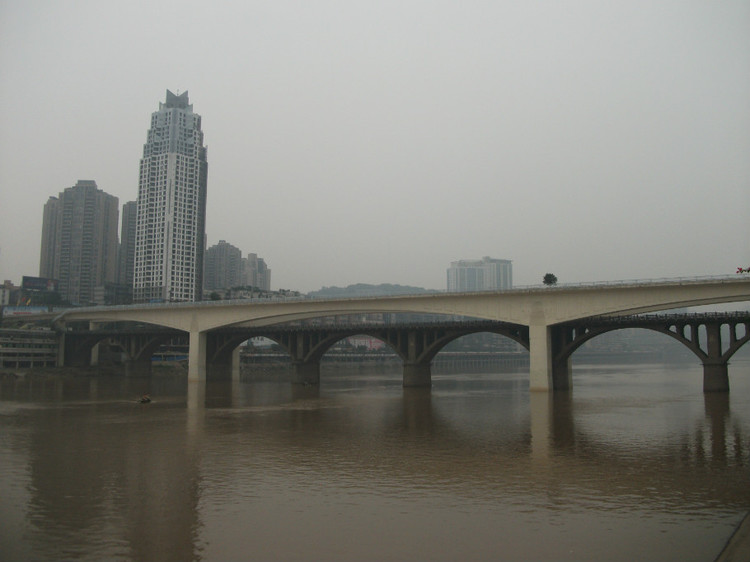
pixel 376 142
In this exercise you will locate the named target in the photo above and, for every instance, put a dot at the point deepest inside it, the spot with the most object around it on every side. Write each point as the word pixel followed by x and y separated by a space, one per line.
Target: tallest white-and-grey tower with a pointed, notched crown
pixel 171 216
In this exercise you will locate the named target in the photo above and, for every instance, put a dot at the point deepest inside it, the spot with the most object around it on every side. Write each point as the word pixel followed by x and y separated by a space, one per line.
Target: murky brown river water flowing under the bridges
pixel 636 463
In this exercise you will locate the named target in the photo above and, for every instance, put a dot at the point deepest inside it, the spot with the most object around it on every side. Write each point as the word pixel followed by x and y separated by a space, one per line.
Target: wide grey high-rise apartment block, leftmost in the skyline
pixel 79 241
